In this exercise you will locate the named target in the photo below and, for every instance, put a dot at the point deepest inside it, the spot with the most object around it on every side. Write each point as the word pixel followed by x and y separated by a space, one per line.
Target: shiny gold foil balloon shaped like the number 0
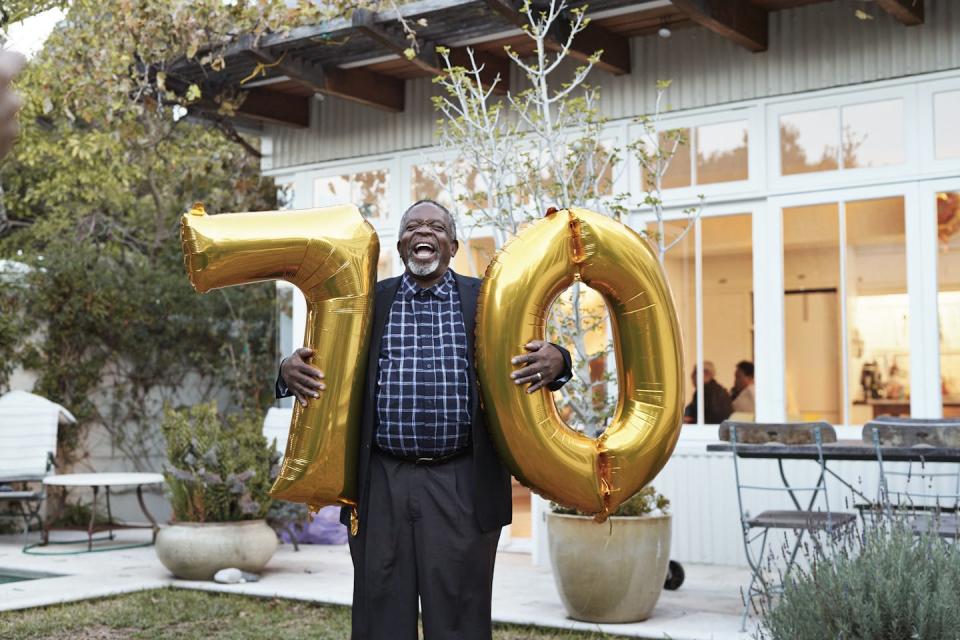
pixel 592 475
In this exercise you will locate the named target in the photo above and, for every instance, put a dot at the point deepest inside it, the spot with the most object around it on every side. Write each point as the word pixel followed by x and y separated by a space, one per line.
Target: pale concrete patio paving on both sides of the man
pixel 706 607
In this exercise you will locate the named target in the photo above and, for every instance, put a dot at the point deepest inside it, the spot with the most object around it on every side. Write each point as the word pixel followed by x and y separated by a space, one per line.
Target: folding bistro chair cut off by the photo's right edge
pixel 924 495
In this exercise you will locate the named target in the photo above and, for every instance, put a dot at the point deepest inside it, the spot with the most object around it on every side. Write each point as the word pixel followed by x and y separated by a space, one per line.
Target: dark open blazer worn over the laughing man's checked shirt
pixel 493 504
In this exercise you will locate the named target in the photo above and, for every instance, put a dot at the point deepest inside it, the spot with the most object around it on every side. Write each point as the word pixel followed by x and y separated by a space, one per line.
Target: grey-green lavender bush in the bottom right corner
pixel 893 585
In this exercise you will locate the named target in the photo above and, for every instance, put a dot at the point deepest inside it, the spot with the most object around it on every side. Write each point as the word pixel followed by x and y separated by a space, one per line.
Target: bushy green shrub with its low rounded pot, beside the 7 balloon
pixel 218 477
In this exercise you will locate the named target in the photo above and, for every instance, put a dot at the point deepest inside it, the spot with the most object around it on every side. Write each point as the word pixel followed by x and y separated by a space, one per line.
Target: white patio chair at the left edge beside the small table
pixel 28 444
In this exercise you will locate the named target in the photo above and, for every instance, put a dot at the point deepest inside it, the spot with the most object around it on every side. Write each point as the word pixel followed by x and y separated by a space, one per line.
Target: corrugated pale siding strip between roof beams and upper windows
pixel 813 47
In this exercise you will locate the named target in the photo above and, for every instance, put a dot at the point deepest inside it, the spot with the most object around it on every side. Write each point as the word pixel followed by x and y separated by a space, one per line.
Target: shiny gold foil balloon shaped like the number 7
pixel 331 256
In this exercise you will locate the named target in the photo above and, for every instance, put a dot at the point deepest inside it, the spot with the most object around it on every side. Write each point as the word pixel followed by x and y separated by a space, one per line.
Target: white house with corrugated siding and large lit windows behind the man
pixel 824 137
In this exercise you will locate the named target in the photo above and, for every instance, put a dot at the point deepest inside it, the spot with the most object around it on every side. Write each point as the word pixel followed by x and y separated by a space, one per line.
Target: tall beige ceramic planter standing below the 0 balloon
pixel 609 572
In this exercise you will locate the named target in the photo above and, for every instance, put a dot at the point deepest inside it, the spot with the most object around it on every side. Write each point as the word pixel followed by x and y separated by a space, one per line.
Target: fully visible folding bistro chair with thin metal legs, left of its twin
pixel 804 518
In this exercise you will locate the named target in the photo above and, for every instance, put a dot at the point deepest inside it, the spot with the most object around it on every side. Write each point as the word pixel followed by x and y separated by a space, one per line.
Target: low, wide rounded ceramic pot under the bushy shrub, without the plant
pixel 196 551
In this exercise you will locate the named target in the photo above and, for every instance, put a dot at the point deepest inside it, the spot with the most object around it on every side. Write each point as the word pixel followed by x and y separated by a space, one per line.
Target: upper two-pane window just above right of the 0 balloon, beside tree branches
pixel 707 154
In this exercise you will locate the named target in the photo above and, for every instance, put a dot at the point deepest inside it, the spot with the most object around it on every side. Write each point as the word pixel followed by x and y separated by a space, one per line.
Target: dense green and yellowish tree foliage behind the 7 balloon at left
pixel 93 192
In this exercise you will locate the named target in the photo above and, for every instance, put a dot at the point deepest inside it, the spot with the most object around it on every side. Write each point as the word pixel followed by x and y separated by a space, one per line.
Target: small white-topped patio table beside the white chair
pixel 105 480
